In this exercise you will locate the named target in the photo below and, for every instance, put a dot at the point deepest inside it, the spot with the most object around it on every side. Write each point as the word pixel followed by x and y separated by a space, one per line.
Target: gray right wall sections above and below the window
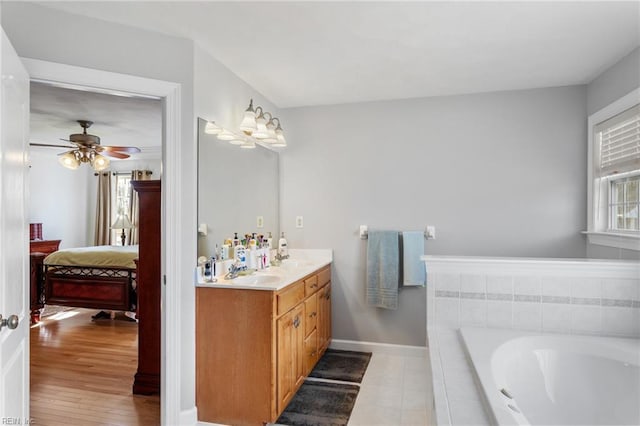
pixel 614 83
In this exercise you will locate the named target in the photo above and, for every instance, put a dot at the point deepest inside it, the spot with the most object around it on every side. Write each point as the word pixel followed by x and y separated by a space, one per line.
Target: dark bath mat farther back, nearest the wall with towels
pixel 346 366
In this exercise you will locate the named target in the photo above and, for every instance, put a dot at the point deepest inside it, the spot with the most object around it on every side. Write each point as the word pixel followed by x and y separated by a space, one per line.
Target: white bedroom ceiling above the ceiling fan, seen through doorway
pixel 117 120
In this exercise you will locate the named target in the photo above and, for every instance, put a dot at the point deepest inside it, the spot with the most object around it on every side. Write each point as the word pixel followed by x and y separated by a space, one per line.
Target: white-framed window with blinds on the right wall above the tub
pixel 614 175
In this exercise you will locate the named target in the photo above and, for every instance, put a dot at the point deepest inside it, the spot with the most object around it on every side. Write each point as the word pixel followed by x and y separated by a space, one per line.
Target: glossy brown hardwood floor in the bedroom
pixel 82 372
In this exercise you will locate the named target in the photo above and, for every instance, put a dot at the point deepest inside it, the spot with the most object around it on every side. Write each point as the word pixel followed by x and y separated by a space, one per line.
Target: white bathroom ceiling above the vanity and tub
pixel 313 53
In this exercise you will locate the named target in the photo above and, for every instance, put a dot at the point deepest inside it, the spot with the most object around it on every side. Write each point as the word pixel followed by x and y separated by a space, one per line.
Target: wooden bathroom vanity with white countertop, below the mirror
pixel 259 336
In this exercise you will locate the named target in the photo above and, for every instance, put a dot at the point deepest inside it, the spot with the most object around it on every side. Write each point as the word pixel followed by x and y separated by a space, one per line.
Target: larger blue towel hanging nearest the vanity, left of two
pixel 383 271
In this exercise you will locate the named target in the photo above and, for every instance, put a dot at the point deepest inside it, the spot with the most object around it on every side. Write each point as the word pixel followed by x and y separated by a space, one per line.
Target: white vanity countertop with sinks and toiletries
pixel 301 263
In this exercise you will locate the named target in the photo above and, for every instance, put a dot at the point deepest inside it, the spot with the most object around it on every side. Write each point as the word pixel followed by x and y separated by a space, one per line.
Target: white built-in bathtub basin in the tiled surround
pixel 552 379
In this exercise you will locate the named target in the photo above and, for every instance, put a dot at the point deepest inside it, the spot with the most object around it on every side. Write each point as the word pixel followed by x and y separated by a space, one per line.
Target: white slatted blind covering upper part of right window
pixel 619 139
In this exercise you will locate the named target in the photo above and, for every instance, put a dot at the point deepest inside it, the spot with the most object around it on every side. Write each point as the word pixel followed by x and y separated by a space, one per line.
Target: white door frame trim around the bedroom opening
pixel 171 95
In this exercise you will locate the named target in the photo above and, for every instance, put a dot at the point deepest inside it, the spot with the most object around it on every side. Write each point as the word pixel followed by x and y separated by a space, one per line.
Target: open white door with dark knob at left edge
pixel 14 267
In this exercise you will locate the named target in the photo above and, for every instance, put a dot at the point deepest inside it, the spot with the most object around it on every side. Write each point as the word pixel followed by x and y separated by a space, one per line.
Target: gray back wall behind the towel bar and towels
pixel 498 174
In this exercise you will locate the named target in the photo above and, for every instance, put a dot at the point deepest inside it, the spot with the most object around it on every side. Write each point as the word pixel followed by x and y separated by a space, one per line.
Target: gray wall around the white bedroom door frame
pixel 42 33
